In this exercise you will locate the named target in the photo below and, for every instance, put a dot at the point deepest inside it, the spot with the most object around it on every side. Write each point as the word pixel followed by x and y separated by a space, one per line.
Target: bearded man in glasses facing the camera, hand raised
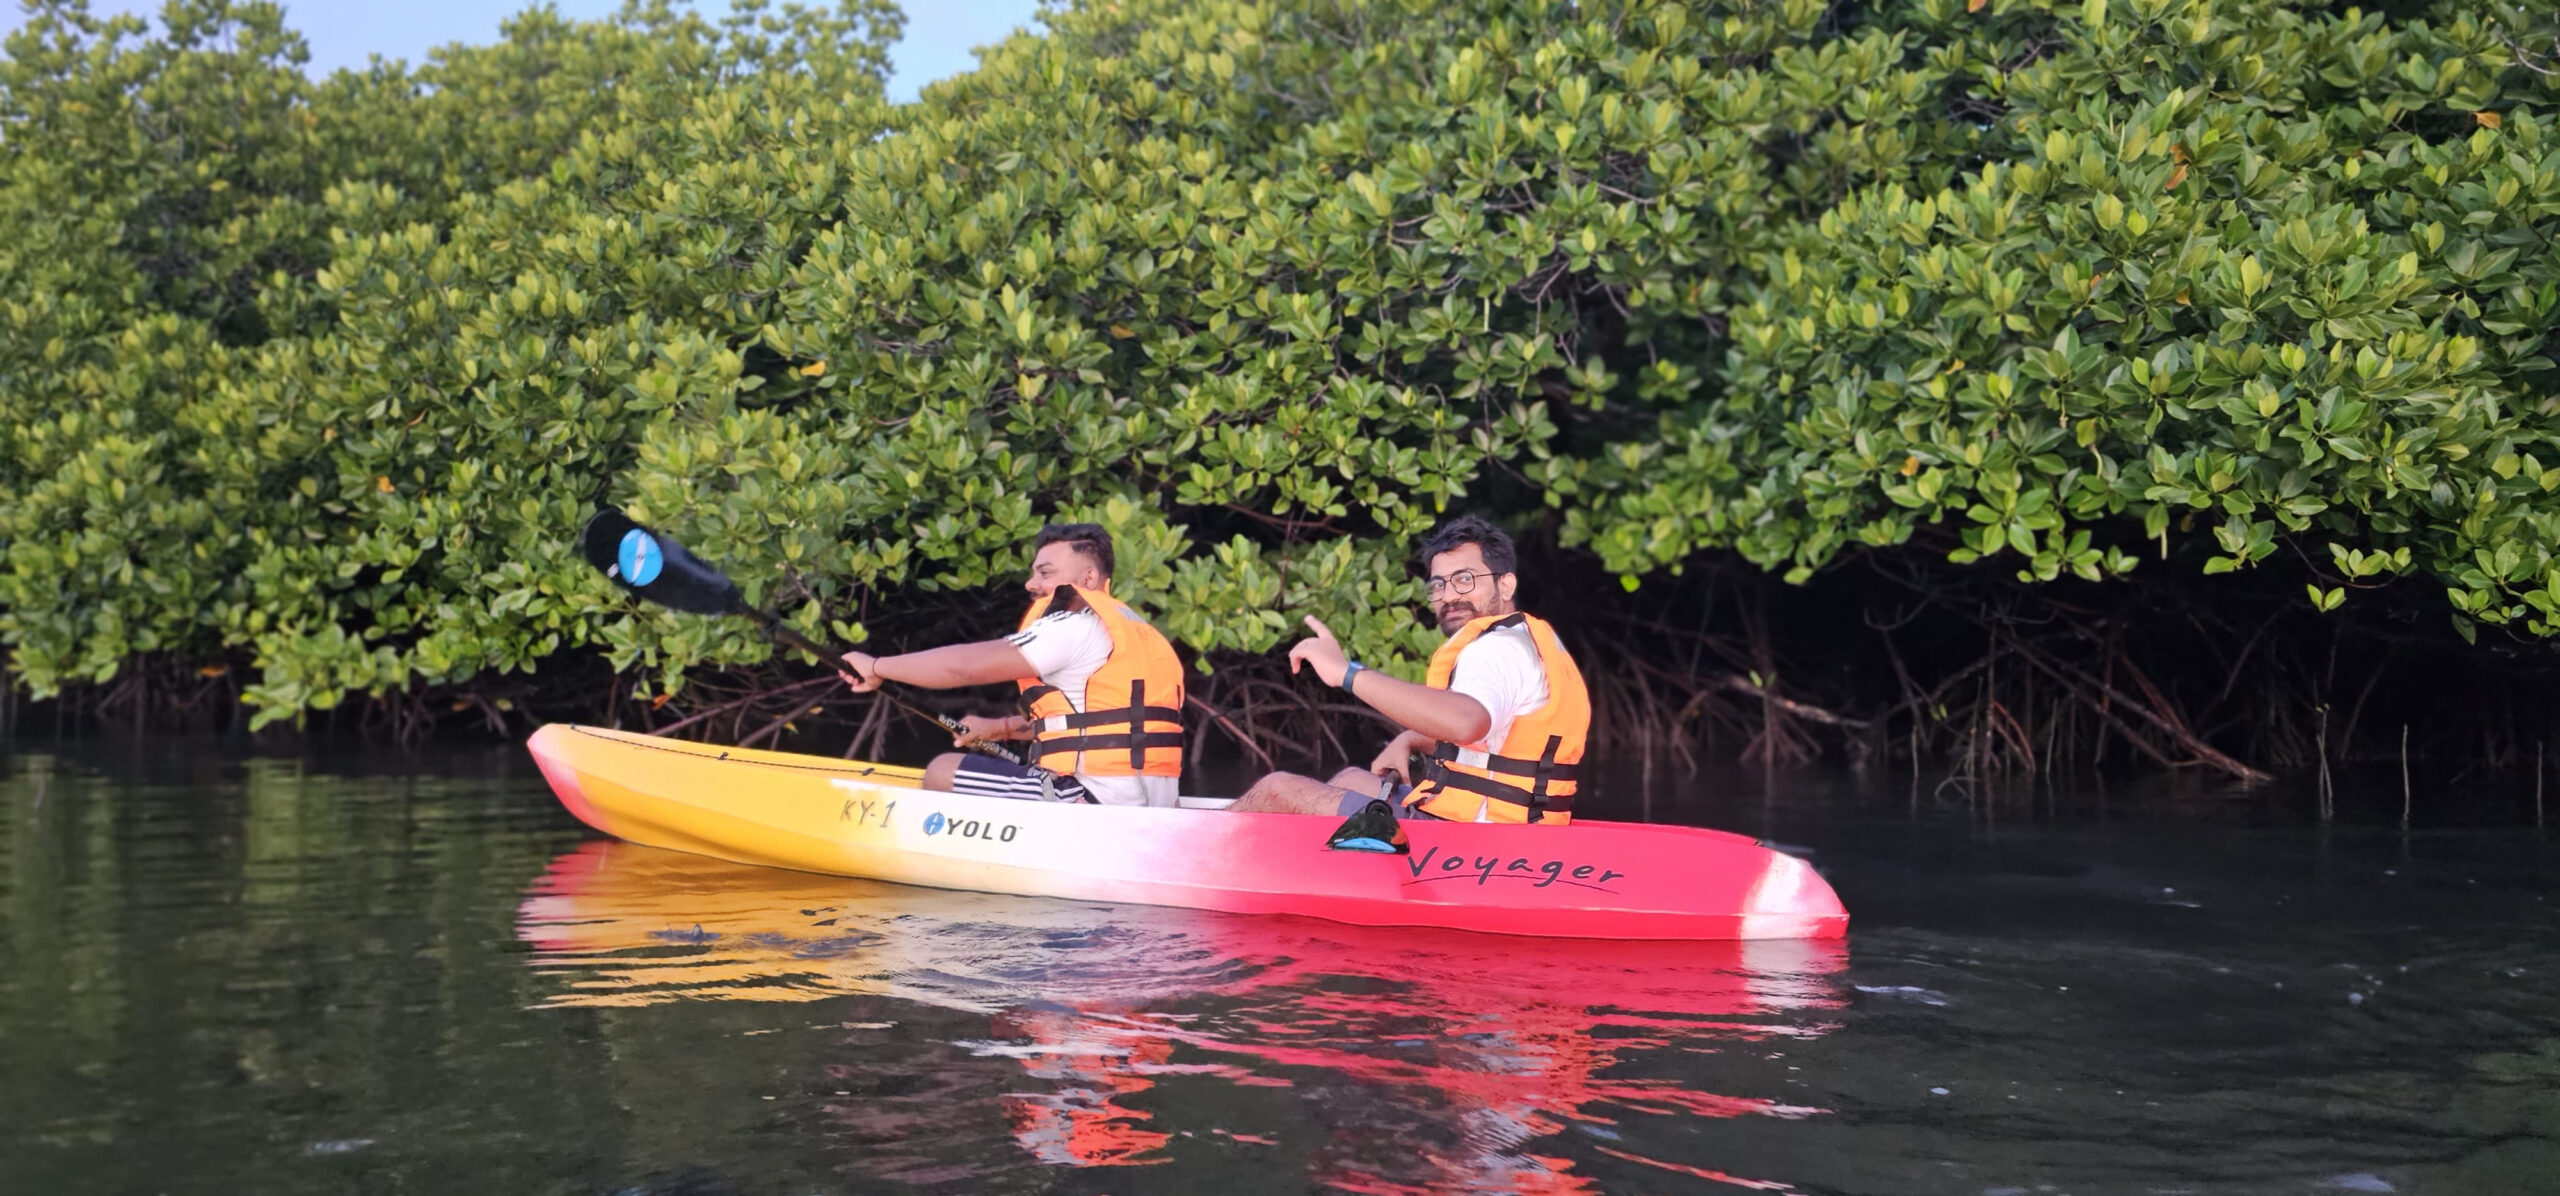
pixel 1501 716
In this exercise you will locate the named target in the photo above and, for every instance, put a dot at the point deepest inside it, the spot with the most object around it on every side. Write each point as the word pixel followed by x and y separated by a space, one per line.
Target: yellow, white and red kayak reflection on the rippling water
pixel 1430 1062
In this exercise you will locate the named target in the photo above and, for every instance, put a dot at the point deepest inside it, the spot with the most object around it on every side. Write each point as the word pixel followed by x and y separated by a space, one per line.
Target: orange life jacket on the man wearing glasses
pixel 1530 777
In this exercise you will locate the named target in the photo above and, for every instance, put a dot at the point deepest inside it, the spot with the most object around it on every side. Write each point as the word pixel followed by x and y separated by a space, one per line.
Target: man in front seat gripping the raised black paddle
pixel 1102 690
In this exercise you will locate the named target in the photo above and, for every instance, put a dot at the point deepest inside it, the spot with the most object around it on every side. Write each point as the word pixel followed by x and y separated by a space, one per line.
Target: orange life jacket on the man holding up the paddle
pixel 1120 731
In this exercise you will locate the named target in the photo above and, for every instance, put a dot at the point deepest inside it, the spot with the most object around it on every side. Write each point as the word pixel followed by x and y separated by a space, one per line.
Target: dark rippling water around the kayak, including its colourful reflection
pixel 314 977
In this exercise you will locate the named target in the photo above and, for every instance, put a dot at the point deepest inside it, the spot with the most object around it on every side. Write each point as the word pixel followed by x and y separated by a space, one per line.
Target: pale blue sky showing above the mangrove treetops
pixel 941 35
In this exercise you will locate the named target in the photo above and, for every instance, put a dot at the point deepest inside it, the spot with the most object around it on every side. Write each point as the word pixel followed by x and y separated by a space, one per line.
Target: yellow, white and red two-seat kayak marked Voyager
pixel 874 821
